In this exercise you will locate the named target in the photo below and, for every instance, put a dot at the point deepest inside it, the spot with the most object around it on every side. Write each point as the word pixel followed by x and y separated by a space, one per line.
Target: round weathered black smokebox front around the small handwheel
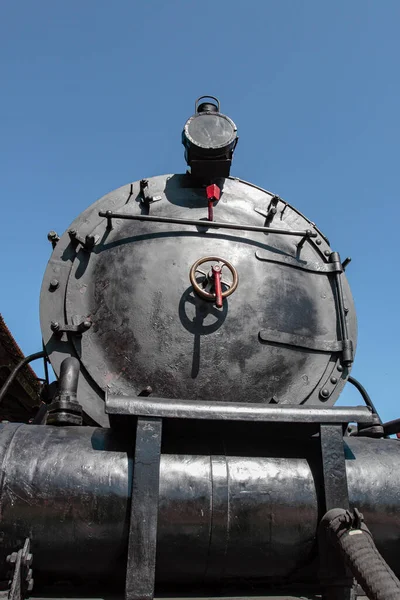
pixel 150 329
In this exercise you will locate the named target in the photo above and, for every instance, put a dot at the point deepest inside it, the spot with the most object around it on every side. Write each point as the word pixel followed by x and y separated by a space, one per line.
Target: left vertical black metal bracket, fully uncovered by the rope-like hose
pixel 140 572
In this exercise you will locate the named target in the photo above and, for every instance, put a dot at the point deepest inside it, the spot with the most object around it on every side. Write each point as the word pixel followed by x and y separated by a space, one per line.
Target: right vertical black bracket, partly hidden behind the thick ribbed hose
pixel 335 577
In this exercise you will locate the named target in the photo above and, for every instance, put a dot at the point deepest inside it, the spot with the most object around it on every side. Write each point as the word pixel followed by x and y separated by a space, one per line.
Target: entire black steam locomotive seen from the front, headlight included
pixel 201 330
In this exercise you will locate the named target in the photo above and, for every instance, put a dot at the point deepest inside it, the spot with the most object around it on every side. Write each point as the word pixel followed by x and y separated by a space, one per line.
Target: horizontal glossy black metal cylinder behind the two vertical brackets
pixel 229 510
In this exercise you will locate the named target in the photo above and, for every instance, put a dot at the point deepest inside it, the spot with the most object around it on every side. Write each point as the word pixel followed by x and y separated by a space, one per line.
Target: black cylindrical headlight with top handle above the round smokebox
pixel 209 138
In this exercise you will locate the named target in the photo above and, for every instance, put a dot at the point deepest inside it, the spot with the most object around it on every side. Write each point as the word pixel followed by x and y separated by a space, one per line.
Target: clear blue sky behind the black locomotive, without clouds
pixel 94 95
